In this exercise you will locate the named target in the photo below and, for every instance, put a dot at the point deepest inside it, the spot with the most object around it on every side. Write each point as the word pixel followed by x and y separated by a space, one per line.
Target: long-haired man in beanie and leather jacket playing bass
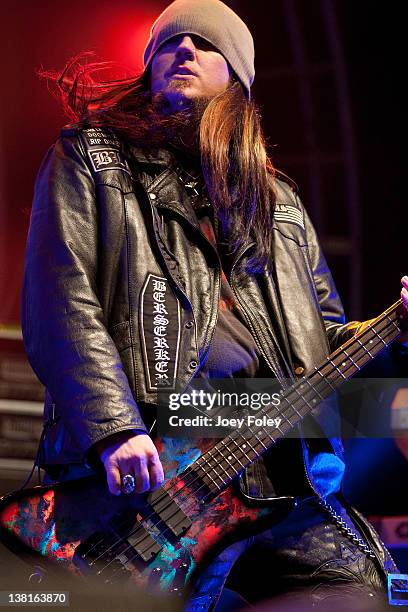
pixel 164 185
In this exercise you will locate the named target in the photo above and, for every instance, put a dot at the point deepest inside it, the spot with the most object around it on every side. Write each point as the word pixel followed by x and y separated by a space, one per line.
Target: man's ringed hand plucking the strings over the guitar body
pixel 130 453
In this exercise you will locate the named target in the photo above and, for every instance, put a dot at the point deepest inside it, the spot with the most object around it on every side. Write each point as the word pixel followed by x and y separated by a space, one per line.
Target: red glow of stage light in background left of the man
pixel 52 32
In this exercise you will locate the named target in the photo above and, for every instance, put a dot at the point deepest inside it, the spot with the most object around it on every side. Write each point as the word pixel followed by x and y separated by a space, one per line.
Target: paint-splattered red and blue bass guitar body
pixel 65 521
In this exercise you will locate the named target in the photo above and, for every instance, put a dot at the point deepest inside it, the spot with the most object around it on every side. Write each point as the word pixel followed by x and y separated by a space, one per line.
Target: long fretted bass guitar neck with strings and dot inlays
pixel 227 459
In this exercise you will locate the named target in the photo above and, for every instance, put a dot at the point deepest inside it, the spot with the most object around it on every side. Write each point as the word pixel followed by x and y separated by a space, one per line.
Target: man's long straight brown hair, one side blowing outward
pixel 237 170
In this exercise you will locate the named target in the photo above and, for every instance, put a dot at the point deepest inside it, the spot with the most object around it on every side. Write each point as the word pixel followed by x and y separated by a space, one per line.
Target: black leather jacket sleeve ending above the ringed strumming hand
pixel 64 327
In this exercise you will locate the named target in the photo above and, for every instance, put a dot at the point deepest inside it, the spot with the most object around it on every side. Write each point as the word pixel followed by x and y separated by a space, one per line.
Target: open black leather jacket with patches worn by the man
pixel 110 225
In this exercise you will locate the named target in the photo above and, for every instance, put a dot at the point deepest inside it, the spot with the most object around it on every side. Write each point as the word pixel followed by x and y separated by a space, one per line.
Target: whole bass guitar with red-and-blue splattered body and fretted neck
pixel 162 538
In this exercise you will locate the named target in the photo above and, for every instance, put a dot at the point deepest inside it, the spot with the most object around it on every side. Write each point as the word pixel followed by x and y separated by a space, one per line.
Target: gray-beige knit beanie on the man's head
pixel 216 23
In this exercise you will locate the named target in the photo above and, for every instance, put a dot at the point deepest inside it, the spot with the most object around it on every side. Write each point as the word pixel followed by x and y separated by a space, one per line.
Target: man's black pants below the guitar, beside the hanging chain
pixel 307 558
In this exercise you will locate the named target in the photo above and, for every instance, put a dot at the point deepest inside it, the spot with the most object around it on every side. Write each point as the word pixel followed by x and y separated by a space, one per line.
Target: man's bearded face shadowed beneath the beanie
pixel 187 67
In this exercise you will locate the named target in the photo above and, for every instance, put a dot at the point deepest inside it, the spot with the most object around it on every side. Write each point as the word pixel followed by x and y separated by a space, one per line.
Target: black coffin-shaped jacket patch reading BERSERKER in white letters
pixel 160 332
